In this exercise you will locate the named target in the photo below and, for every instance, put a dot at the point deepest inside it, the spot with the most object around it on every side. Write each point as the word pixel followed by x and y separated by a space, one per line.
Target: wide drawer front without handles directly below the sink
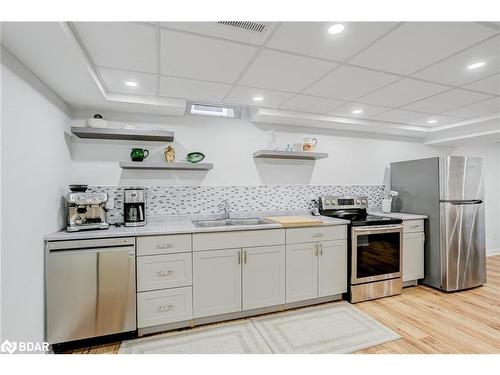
pixel 229 240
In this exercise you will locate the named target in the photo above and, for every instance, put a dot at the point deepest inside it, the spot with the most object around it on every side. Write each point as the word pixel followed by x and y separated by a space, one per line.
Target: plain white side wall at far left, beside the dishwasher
pixel 35 169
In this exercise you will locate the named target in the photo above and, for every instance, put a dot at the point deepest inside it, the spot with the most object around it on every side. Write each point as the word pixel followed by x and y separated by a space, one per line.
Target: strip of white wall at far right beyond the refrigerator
pixel 491 155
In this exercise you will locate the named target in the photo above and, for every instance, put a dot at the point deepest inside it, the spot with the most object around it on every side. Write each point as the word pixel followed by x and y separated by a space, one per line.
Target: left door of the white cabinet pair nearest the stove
pixel 301 272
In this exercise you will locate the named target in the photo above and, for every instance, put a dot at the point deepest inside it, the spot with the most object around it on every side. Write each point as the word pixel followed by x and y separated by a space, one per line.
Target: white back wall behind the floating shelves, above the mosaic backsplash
pixel 229 144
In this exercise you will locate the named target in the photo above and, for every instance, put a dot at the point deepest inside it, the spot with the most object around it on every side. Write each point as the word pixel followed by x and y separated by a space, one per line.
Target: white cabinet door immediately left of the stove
pixel 332 268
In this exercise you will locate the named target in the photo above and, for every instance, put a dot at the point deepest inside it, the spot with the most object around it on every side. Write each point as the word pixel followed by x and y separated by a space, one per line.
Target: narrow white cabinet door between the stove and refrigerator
pixel 413 256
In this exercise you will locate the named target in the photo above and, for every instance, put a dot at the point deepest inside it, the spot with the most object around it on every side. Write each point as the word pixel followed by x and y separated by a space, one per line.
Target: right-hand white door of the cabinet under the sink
pixel 263 276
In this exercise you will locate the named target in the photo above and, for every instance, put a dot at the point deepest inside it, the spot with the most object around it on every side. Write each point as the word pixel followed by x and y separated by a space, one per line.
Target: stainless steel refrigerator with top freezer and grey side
pixel 450 191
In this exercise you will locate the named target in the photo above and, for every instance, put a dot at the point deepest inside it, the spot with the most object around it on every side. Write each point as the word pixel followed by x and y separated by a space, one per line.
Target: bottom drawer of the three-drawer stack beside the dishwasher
pixel 164 306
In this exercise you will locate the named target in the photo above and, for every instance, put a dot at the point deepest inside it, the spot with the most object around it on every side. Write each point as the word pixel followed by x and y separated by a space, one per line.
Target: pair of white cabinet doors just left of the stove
pixel 315 269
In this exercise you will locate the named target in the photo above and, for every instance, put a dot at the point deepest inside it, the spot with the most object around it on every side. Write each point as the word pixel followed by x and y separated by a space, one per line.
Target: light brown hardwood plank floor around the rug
pixel 428 321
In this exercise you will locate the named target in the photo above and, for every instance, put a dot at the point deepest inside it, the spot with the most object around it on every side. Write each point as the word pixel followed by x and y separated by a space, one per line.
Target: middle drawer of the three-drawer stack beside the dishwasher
pixel 163 271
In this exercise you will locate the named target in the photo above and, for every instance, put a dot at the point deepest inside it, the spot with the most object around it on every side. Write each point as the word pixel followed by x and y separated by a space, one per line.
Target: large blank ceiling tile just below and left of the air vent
pixel 198 57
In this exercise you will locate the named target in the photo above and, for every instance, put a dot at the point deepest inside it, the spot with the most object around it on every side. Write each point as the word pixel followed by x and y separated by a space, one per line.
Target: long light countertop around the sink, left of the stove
pixel 172 225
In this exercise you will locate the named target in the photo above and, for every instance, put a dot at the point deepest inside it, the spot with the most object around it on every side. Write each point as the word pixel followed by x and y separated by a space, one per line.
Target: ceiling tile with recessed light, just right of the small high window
pixel 245 95
